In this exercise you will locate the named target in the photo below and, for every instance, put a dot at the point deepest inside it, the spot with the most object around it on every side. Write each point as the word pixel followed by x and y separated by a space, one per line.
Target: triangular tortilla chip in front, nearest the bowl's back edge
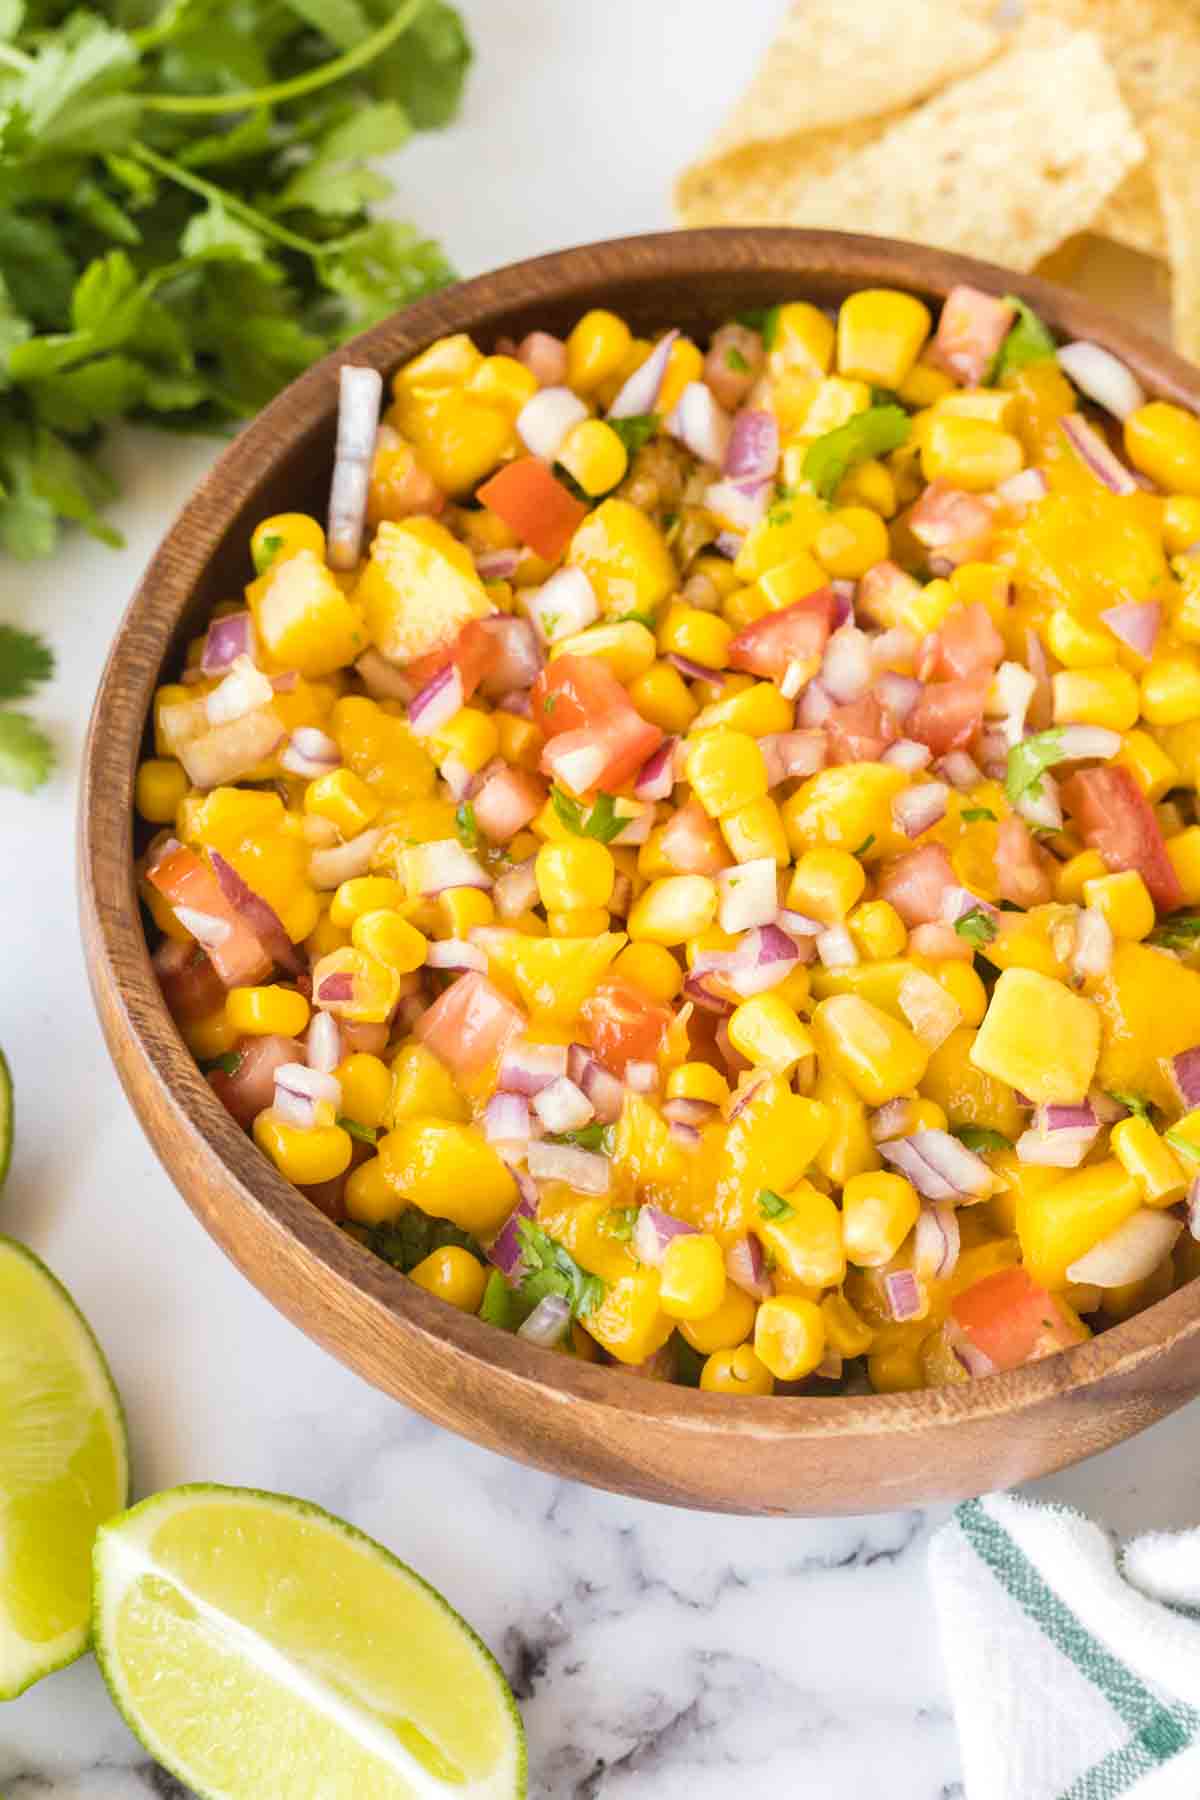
pixel 1005 165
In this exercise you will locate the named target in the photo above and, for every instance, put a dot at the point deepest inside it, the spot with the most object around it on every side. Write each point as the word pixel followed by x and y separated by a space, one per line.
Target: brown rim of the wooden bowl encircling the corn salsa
pixel 109 897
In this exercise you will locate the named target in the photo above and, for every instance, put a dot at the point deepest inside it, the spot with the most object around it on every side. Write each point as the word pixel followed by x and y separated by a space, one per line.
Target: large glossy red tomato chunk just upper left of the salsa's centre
pixel 580 701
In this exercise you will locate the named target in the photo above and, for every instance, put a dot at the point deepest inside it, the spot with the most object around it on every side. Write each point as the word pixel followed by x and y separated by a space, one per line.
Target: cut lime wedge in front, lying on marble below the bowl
pixel 262 1648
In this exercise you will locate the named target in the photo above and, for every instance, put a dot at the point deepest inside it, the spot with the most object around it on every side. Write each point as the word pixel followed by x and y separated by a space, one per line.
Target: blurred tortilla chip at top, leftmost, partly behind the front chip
pixel 830 69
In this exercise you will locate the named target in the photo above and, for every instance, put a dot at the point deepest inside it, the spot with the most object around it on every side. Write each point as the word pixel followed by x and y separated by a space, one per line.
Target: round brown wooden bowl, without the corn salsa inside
pixel 577 1419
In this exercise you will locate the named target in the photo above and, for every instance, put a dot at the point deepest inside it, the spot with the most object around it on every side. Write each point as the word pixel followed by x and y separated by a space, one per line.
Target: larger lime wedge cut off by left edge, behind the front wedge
pixel 64 1470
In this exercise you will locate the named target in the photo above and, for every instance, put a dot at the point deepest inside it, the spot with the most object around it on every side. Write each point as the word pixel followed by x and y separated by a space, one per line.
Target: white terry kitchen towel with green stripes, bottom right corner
pixel 1073 1662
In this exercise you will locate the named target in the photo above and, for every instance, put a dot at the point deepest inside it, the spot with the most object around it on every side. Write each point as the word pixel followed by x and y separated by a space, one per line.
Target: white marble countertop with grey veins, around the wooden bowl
pixel 656 1651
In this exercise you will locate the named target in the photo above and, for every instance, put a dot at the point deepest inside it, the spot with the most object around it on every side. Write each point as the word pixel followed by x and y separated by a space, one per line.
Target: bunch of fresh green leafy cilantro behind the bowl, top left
pixel 184 192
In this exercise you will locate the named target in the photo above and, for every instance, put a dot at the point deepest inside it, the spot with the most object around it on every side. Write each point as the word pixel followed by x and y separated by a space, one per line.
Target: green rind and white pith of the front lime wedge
pixel 125 1556
